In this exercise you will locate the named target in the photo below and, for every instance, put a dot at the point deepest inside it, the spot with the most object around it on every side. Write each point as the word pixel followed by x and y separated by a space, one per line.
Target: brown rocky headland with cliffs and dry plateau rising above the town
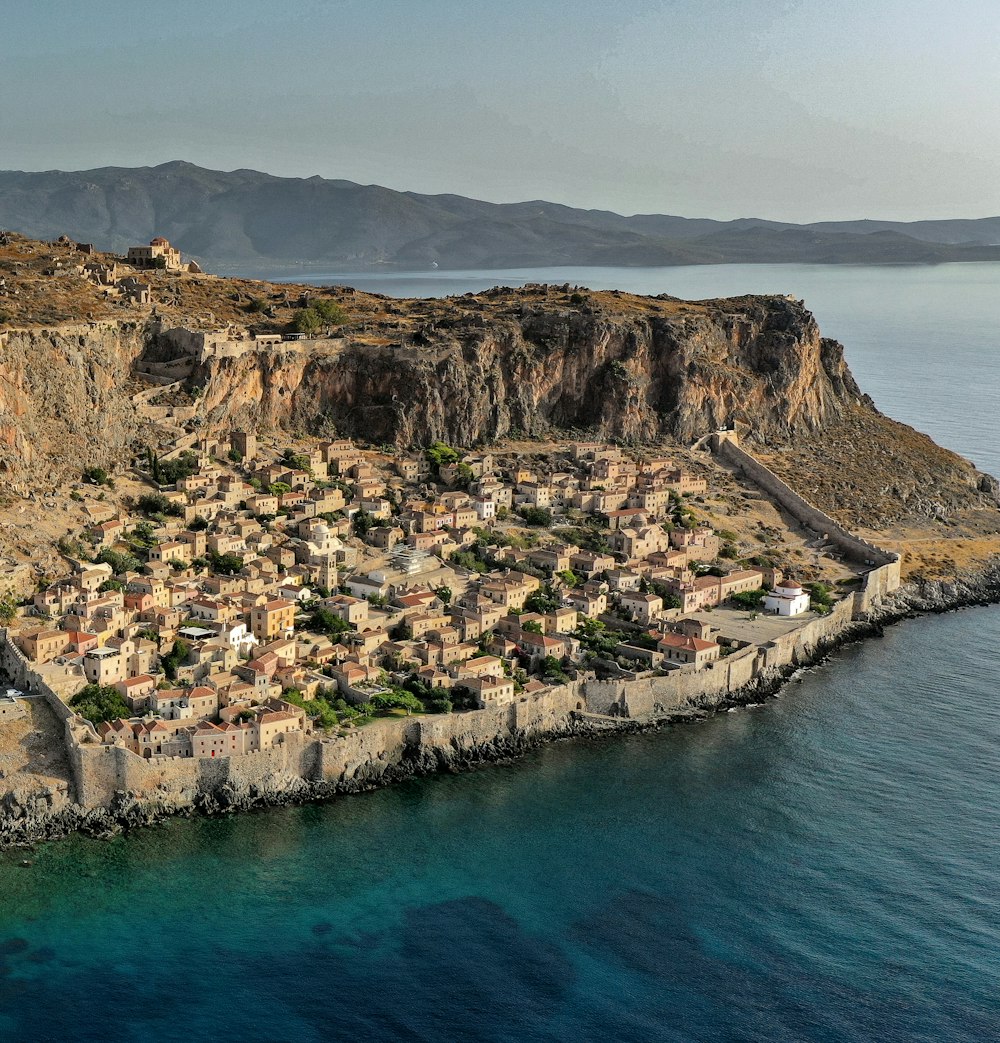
pixel 86 379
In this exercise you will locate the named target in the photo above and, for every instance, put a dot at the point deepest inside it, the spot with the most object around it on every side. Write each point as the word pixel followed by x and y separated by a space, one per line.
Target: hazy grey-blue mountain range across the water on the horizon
pixel 251 221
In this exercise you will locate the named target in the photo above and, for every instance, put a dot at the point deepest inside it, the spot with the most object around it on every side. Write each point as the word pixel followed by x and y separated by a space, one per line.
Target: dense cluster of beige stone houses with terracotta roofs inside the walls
pixel 333 570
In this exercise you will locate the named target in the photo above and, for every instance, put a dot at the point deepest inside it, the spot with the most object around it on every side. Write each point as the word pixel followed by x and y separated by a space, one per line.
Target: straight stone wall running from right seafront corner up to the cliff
pixel 884 574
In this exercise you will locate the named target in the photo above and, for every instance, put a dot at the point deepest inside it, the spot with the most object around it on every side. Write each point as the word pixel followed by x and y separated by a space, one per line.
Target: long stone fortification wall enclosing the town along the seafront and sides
pixel 391 748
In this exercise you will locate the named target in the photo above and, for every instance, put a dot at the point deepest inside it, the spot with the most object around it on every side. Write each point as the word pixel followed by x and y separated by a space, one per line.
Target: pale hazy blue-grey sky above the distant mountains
pixel 797 110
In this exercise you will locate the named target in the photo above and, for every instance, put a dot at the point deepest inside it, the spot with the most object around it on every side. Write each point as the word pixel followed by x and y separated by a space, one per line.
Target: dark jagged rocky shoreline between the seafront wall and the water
pixel 23 827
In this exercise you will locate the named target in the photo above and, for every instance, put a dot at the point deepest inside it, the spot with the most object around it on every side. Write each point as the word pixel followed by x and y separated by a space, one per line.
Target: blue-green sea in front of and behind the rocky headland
pixel 824 867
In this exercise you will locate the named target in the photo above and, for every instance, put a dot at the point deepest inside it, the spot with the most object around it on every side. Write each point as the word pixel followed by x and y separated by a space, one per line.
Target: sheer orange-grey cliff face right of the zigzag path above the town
pixel 639 376
